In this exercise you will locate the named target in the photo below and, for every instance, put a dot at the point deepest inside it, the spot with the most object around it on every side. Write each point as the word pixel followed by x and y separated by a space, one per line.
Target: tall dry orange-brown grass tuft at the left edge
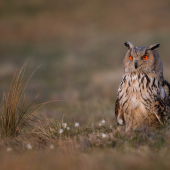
pixel 15 110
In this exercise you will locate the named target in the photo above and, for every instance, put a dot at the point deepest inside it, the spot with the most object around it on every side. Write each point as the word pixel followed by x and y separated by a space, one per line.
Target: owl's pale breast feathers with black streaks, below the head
pixel 138 92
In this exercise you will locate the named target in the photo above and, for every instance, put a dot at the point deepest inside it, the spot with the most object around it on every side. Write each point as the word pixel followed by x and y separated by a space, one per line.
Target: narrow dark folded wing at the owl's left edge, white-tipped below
pixel 118 113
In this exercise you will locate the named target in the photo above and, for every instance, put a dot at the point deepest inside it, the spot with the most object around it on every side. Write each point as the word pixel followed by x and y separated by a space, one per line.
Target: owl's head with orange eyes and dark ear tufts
pixel 142 59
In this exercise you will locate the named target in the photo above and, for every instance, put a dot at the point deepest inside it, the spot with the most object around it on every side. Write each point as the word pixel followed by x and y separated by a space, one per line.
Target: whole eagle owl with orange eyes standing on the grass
pixel 143 97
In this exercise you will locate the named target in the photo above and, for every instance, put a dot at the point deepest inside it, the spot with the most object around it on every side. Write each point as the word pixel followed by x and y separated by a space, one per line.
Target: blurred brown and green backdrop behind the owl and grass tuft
pixel 81 46
